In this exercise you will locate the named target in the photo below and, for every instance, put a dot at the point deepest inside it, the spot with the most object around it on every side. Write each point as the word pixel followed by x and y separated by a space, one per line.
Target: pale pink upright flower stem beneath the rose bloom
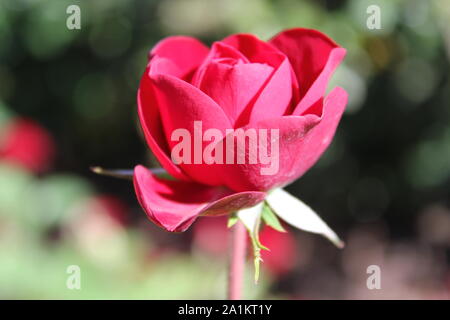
pixel 238 251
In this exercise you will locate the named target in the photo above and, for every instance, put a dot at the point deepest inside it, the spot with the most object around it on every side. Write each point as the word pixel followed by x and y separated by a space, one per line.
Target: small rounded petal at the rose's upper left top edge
pixel 185 52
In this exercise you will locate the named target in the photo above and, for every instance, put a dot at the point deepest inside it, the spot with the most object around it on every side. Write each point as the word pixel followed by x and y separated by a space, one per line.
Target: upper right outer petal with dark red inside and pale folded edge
pixel 309 52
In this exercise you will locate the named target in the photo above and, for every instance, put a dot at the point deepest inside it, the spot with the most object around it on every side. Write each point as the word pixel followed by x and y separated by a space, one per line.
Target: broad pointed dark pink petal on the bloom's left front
pixel 181 104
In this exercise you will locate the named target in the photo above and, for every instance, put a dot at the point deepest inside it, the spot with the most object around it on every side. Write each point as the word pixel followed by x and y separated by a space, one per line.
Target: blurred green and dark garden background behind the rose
pixel 69 96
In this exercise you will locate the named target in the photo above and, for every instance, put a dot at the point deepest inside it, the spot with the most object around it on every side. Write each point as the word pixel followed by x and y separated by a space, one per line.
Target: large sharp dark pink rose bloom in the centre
pixel 240 82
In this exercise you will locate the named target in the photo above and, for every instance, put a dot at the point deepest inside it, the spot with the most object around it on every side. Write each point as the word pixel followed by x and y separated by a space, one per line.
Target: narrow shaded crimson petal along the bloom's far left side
pixel 150 119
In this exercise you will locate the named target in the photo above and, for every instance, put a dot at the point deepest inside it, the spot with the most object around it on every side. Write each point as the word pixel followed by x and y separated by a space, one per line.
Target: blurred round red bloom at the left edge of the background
pixel 27 144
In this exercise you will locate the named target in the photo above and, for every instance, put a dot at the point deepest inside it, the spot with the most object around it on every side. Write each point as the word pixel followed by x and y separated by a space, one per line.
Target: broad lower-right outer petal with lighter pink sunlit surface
pixel 302 140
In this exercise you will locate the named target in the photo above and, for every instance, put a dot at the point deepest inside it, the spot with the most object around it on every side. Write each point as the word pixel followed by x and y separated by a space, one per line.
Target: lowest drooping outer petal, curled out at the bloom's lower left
pixel 174 205
